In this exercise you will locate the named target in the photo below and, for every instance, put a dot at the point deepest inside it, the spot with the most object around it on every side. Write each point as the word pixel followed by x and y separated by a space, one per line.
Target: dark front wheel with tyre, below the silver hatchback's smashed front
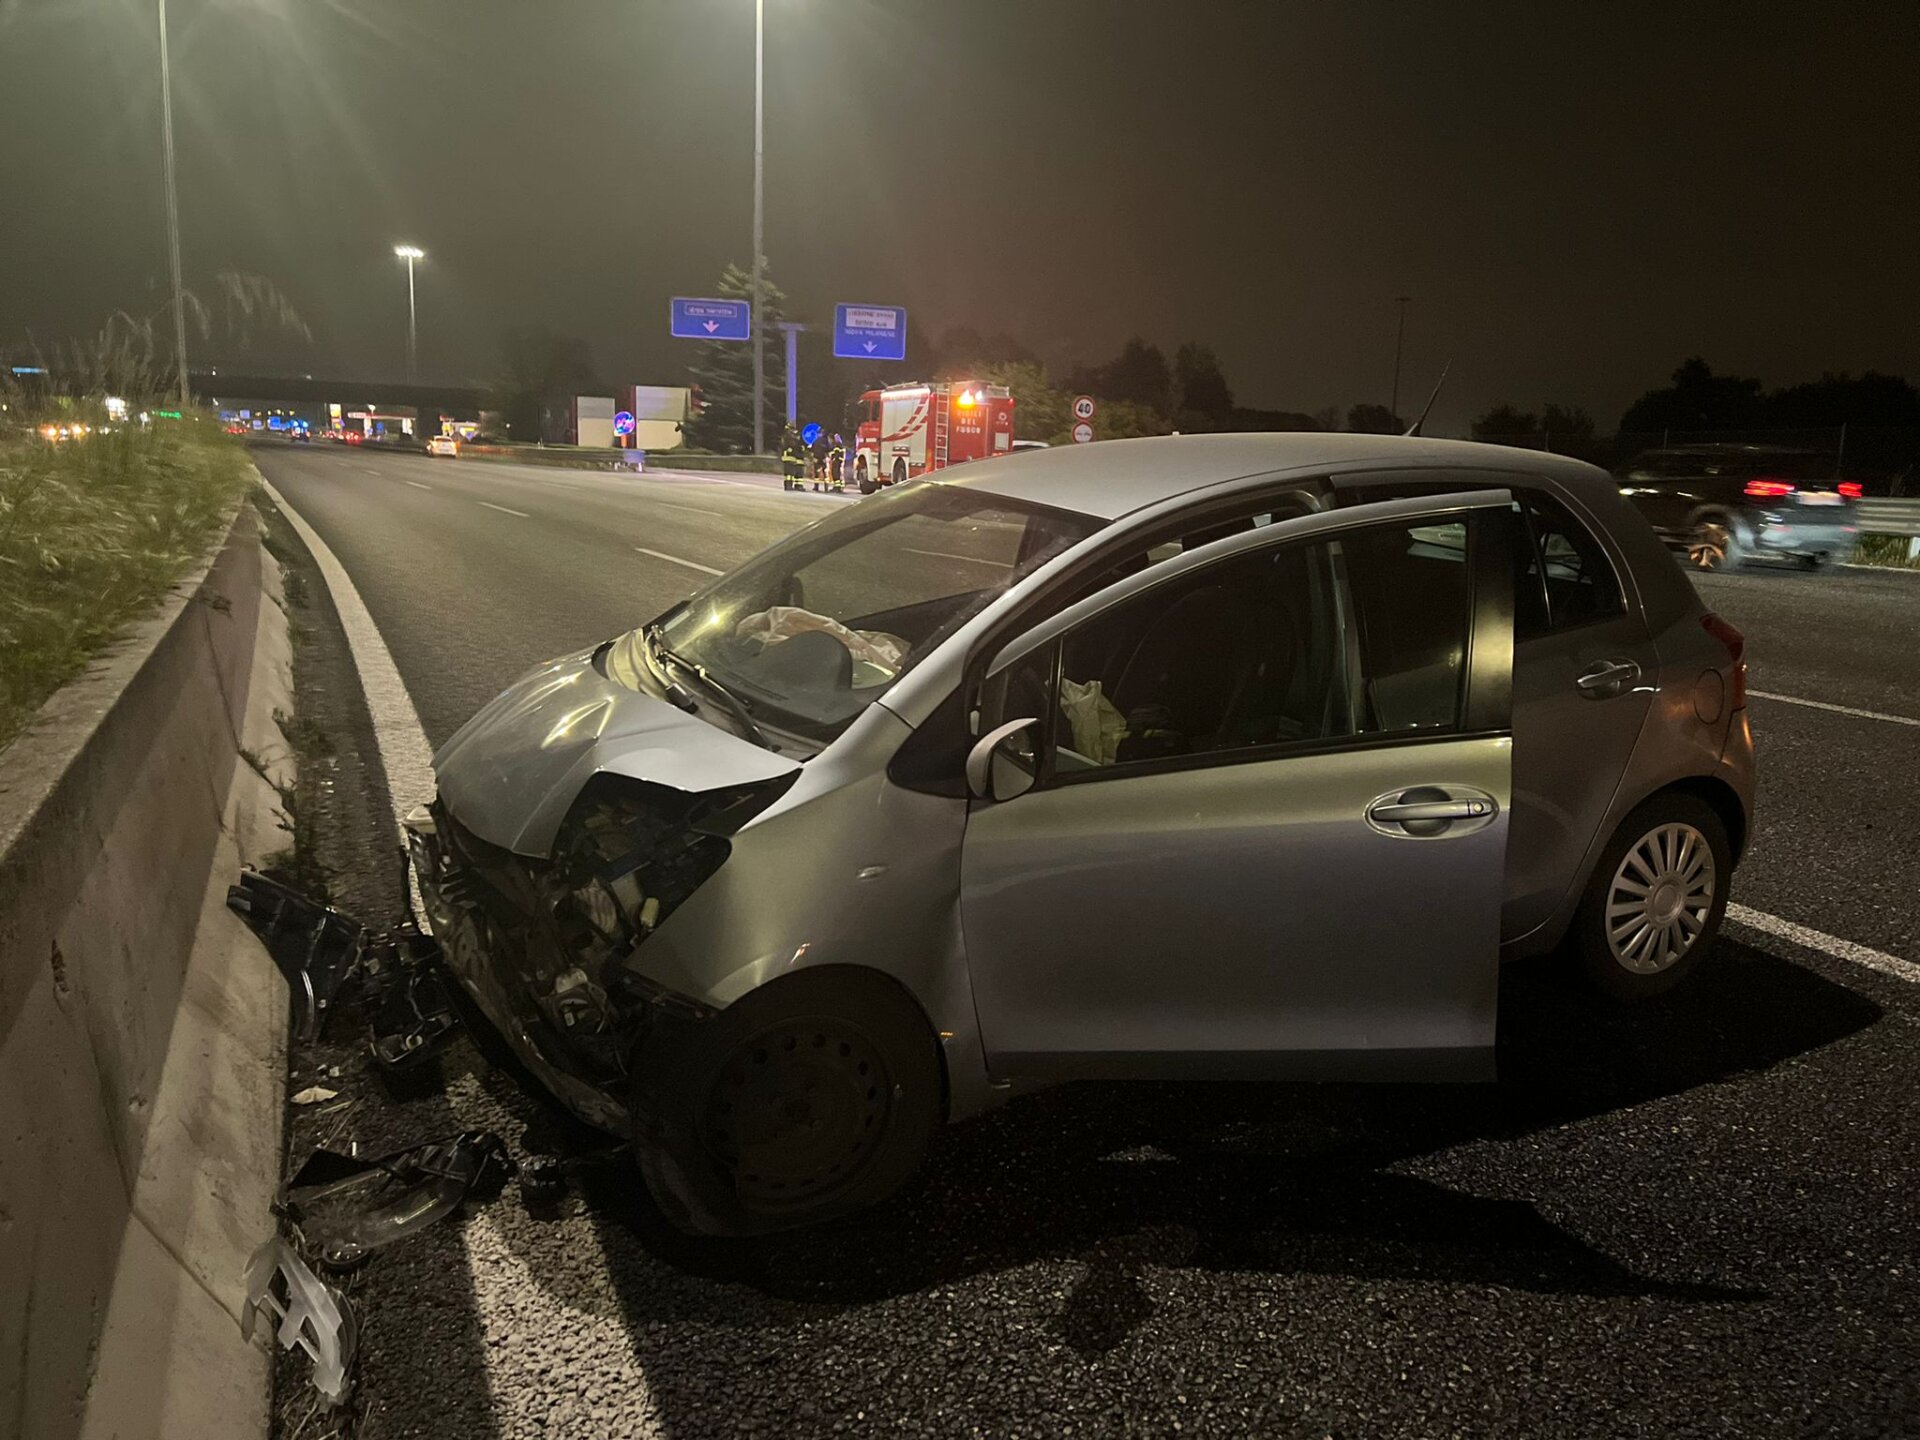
pixel 809 1099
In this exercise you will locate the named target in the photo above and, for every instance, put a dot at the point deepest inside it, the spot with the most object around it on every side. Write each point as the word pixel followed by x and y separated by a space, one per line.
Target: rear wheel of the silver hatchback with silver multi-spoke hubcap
pixel 1656 900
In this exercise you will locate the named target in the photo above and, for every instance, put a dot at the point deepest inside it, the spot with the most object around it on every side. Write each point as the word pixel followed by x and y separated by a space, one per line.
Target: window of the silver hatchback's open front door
pixel 1289 646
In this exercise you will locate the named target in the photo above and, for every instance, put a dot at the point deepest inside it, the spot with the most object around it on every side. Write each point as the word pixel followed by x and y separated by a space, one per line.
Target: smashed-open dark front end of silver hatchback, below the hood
pixel 542 946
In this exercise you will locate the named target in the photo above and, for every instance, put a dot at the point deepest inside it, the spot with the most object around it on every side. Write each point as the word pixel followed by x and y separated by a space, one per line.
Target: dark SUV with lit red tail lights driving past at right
pixel 1729 504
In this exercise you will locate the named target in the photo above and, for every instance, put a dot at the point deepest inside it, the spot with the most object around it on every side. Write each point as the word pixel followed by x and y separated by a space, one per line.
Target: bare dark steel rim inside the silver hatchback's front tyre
pixel 798 1111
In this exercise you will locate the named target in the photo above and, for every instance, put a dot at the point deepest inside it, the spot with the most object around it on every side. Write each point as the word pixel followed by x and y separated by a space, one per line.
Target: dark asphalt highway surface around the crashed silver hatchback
pixel 1692 1218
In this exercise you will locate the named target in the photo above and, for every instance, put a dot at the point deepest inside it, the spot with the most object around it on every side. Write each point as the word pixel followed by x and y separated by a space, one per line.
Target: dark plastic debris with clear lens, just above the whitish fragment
pixel 347 1209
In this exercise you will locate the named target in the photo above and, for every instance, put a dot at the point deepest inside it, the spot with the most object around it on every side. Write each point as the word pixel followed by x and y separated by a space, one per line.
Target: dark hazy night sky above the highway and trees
pixel 1575 195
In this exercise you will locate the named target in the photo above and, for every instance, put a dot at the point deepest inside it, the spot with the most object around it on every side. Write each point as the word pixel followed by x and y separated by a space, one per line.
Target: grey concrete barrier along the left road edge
pixel 143 1032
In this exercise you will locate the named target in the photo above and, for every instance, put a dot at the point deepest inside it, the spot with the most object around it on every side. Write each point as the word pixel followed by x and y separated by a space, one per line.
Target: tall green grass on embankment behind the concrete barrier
pixel 93 533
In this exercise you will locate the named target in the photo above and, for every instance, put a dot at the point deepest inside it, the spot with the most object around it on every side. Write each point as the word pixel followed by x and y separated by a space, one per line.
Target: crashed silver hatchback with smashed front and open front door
pixel 1191 757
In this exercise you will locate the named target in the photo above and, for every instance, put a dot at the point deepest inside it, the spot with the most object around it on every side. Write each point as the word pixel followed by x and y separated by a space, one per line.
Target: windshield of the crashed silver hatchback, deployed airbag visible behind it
pixel 817 629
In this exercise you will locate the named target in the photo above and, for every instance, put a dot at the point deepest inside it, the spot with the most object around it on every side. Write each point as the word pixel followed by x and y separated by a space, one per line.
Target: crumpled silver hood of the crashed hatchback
pixel 512 773
